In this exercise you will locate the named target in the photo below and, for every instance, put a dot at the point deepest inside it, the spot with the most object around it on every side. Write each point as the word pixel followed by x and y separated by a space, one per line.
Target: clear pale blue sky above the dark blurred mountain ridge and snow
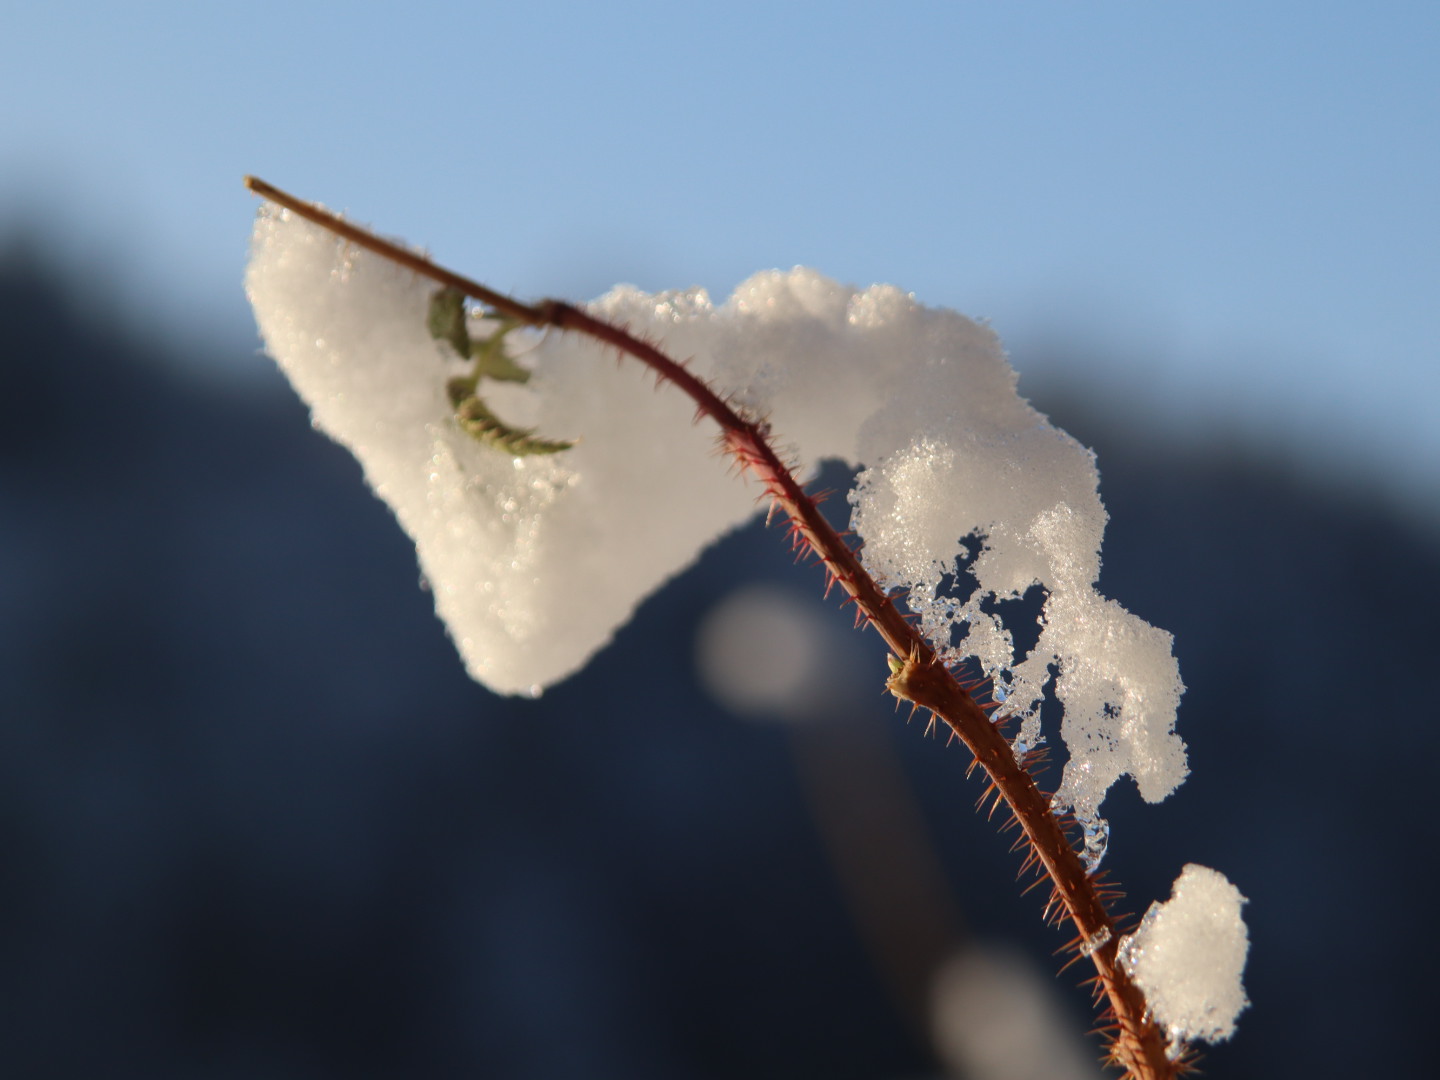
pixel 1229 210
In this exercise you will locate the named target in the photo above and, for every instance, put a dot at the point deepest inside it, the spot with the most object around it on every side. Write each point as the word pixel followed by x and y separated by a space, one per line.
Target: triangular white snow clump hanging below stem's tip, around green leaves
pixel 534 561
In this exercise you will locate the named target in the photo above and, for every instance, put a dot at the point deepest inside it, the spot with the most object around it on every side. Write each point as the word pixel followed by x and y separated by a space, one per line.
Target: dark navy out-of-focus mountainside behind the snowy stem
pixel 258 823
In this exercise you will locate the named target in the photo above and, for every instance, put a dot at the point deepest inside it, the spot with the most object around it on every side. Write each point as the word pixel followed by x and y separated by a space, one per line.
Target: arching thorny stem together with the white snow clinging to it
pixel 536 559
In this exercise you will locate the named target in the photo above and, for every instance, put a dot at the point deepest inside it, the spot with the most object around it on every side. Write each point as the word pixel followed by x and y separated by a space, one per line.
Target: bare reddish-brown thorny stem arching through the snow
pixel 1137 1043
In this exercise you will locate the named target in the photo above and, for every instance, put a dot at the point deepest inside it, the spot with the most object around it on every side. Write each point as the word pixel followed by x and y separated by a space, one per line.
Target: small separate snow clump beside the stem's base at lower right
pixel 1189 957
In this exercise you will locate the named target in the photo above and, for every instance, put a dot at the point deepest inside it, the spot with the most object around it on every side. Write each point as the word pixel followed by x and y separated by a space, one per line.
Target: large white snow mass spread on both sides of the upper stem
pixel 536 561
